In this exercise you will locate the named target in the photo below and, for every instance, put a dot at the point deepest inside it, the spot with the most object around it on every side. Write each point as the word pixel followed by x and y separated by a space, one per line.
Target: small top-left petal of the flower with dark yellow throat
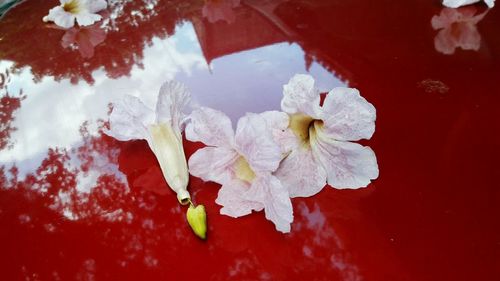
pixel 301 96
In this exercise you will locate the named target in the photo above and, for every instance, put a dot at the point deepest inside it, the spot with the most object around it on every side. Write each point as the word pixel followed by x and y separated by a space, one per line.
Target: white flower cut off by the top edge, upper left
pixel 83 11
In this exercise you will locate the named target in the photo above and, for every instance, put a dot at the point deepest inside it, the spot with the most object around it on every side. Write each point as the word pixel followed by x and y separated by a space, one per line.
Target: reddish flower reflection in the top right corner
pixel 457 29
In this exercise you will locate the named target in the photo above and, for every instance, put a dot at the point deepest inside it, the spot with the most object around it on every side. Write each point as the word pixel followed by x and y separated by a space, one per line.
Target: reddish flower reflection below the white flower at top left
pixel 84 38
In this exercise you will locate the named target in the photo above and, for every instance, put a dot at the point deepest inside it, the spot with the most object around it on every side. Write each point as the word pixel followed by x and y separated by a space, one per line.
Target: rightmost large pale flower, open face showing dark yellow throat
pixel 325 153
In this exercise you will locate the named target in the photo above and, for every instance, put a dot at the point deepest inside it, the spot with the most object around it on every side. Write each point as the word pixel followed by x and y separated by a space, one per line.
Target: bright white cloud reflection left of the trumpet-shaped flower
pixel 53 112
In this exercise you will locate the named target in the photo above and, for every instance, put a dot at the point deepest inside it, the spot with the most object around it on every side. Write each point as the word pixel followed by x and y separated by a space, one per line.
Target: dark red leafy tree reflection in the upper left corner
pixel 131 27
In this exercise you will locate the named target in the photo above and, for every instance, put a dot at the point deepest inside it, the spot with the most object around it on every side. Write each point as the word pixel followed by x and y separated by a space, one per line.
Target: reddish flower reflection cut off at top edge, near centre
pixel 216 10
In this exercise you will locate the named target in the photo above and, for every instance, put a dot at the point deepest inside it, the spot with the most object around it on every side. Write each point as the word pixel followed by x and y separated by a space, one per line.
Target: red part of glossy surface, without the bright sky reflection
pixel 432 214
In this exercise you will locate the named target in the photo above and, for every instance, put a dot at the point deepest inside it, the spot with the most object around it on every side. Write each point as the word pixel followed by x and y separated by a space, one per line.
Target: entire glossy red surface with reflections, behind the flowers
pixel 75 204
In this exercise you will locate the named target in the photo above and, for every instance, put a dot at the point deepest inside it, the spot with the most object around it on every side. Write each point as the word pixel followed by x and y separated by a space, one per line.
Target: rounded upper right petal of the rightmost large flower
pixel 347 115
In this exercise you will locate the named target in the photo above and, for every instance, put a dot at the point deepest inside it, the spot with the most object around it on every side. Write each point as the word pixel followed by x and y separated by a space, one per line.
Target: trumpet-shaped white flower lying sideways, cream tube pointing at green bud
pixel 161 128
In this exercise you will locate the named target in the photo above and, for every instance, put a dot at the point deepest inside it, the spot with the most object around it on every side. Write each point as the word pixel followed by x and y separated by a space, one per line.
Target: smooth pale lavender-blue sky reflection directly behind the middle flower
pixel 252 81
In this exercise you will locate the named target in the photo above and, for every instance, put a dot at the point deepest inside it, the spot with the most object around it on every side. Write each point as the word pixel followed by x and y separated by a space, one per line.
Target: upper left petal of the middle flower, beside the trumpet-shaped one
pixel 211 127
